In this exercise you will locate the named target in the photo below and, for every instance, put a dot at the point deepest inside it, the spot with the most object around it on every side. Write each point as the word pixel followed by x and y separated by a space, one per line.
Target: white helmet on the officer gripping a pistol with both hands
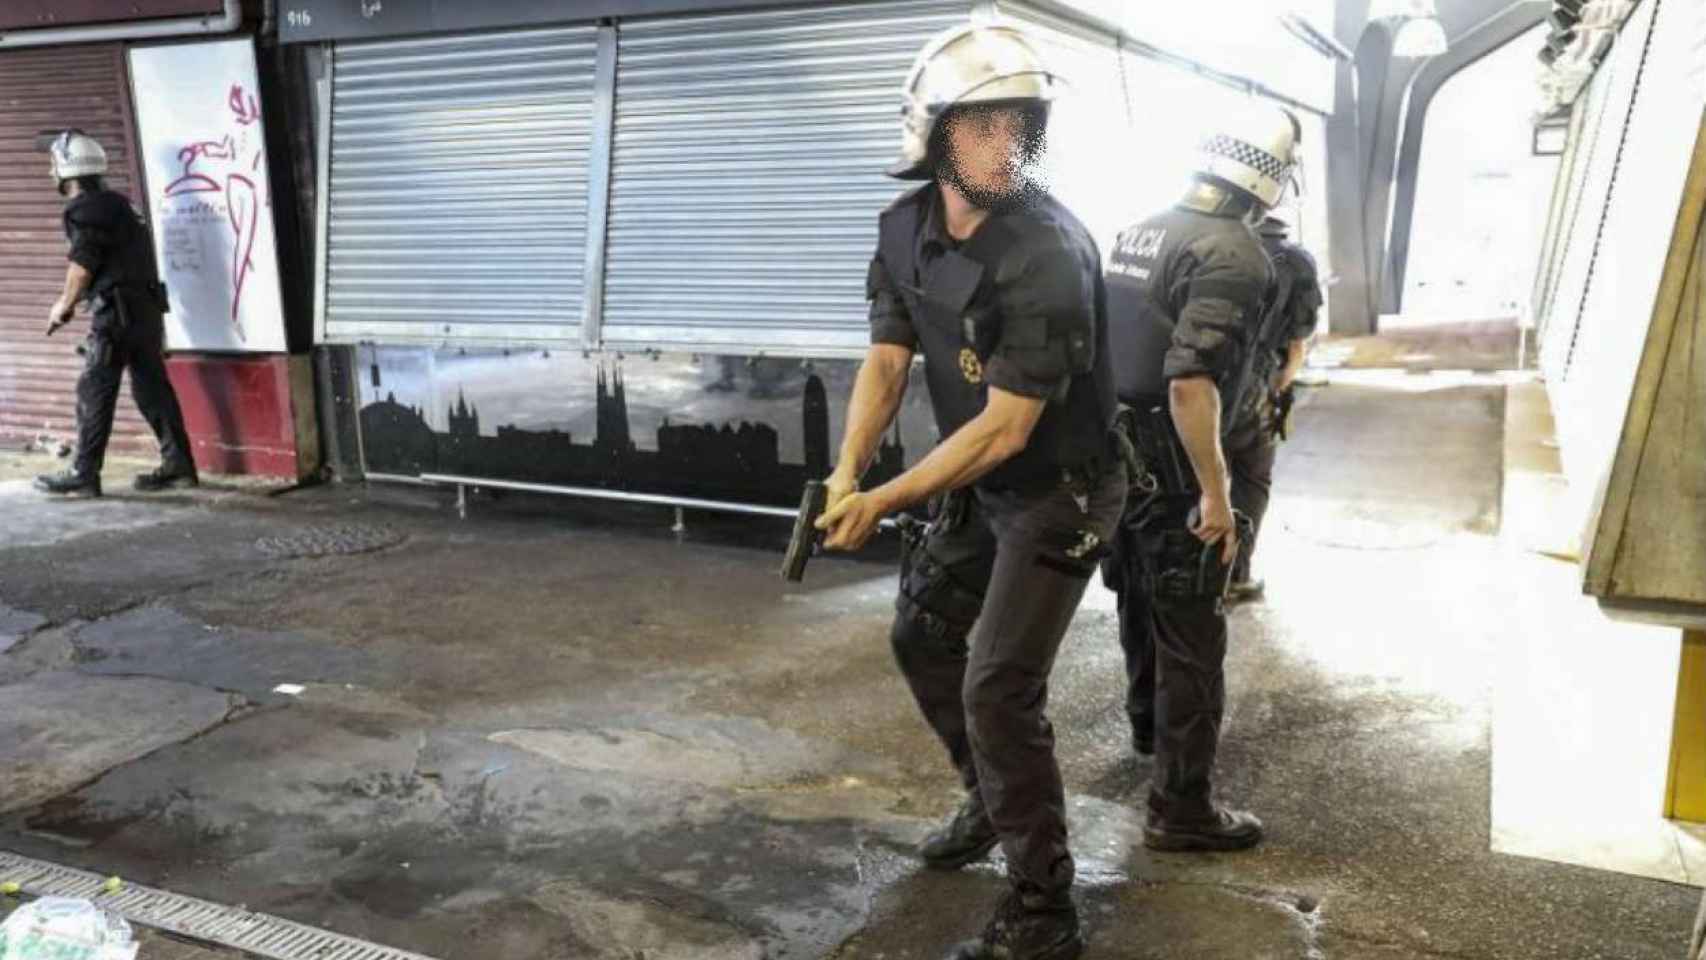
pixel 972 64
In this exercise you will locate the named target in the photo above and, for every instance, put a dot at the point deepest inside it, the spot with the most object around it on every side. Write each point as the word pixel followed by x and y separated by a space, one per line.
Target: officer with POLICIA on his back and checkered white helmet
pixel 1185 304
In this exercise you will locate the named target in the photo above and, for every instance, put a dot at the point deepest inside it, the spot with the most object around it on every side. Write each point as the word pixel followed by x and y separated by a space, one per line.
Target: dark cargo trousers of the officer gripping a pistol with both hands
pixel 985 603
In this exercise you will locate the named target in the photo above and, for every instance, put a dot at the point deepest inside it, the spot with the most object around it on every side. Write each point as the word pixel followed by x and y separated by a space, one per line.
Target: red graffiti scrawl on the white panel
pixel 226 166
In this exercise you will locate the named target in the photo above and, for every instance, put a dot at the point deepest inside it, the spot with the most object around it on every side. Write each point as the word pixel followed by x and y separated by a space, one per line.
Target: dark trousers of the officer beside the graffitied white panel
pixel 110 350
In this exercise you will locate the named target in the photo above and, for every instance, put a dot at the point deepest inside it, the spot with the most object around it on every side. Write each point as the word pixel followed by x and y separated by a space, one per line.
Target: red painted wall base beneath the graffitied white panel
pixel 248 415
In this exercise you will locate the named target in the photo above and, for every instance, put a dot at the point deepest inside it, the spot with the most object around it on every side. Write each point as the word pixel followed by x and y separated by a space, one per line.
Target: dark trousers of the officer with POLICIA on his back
pixel 1176 656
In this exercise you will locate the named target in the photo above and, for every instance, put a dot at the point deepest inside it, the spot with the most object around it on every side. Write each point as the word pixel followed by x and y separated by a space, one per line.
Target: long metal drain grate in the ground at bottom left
pixel 253 934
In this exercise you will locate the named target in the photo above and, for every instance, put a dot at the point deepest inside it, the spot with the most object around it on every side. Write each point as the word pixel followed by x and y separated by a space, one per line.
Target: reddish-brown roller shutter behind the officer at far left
pixel 47 90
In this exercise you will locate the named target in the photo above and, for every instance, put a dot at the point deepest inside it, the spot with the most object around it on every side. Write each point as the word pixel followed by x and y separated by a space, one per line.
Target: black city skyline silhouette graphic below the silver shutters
pixel 733 461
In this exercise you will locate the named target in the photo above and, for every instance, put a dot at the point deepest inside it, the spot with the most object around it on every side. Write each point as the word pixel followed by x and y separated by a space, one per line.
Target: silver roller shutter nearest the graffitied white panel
pixel 458 188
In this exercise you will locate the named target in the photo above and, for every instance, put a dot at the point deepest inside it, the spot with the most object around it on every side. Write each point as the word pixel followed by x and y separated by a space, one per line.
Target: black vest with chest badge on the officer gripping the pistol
pixel 953 306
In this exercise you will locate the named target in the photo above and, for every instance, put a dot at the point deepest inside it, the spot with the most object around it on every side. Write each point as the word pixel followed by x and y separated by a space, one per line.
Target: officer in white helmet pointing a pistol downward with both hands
pixel 1001 289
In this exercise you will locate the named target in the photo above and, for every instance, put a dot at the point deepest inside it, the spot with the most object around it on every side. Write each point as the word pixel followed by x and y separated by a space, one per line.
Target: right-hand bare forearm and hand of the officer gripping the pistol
pixel 987 442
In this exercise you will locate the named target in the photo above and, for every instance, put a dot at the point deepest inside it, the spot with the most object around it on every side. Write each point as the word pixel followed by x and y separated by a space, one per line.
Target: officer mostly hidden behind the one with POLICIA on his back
pixel 1289 321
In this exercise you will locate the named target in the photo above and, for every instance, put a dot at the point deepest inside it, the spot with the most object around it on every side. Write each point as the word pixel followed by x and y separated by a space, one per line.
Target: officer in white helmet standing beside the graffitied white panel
pixel 112 267
